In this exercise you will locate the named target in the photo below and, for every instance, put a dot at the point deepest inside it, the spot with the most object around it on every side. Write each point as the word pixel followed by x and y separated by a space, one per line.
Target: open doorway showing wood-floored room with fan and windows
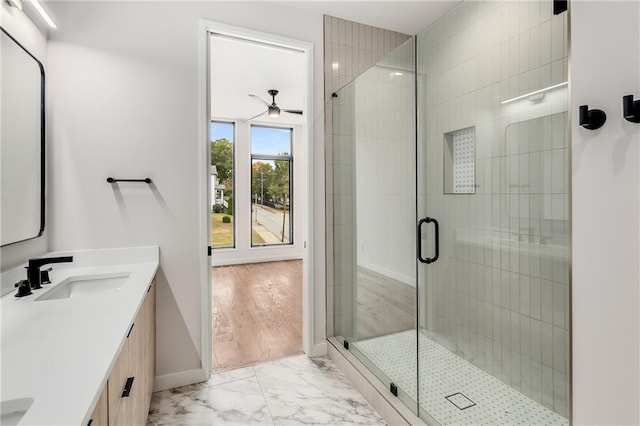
pixel 257 151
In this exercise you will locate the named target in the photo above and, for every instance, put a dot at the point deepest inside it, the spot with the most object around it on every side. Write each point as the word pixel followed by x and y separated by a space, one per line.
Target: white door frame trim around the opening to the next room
pixel 206 28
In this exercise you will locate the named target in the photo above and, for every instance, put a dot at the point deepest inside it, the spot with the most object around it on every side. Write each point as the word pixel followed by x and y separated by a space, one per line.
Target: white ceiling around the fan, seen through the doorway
pixel 240 68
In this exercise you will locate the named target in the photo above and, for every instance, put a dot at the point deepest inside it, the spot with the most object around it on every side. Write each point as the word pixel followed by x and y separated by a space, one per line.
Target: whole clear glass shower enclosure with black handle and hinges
pixel 451 217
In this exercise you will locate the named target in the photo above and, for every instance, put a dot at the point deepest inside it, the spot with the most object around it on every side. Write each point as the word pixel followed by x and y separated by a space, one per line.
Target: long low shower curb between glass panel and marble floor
pixel 392 410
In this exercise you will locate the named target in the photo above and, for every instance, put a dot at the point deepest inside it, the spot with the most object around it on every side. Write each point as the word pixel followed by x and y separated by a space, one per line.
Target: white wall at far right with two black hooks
pixel 605 65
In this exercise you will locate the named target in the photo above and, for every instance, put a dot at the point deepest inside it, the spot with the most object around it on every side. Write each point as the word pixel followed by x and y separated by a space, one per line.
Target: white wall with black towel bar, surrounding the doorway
pixel 124 89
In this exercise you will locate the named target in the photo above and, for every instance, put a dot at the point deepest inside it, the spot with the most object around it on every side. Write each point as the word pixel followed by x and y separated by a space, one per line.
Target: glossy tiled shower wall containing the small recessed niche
pixel 499 295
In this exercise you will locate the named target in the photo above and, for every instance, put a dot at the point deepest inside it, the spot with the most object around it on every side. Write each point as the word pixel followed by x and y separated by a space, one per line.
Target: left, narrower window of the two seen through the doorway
pixel 222 206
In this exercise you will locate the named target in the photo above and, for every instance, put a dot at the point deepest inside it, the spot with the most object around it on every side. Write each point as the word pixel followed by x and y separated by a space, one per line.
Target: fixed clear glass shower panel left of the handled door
pixel 374 215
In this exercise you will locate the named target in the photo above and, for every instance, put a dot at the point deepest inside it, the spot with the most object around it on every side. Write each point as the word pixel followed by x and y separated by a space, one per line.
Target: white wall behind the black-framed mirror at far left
pixel 16 23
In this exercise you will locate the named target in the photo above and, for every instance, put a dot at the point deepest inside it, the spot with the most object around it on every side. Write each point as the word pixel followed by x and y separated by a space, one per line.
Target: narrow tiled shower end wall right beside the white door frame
pixel 350 48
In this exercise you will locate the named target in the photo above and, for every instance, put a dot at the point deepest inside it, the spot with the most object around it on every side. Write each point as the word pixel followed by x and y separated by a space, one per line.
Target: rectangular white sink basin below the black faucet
pixel 86 285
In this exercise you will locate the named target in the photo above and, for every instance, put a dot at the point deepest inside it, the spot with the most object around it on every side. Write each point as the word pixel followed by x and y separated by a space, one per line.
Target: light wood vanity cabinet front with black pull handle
pixel 130 384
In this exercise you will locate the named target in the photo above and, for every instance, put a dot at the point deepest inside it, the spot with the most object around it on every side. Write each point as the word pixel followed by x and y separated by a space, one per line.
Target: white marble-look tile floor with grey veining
pixel 290 391
